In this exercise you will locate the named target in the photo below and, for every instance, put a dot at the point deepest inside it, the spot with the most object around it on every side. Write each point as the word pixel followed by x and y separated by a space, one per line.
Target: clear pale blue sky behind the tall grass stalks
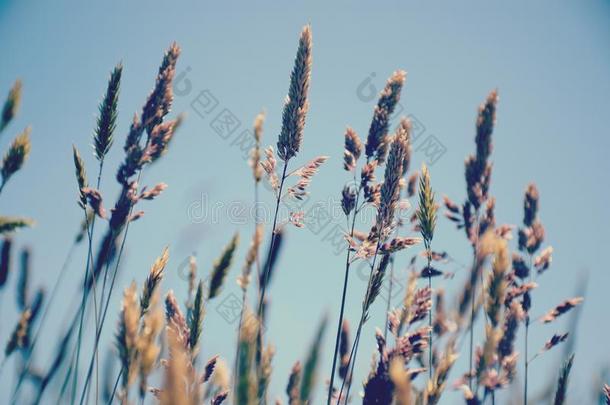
pixel 550 61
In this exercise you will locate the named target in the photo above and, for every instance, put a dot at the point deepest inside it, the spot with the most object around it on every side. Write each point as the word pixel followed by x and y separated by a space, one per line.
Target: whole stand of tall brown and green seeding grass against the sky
pixel 158 340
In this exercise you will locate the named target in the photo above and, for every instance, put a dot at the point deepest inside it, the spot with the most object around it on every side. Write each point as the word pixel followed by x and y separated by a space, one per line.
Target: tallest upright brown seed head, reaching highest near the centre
pixel 297 103
